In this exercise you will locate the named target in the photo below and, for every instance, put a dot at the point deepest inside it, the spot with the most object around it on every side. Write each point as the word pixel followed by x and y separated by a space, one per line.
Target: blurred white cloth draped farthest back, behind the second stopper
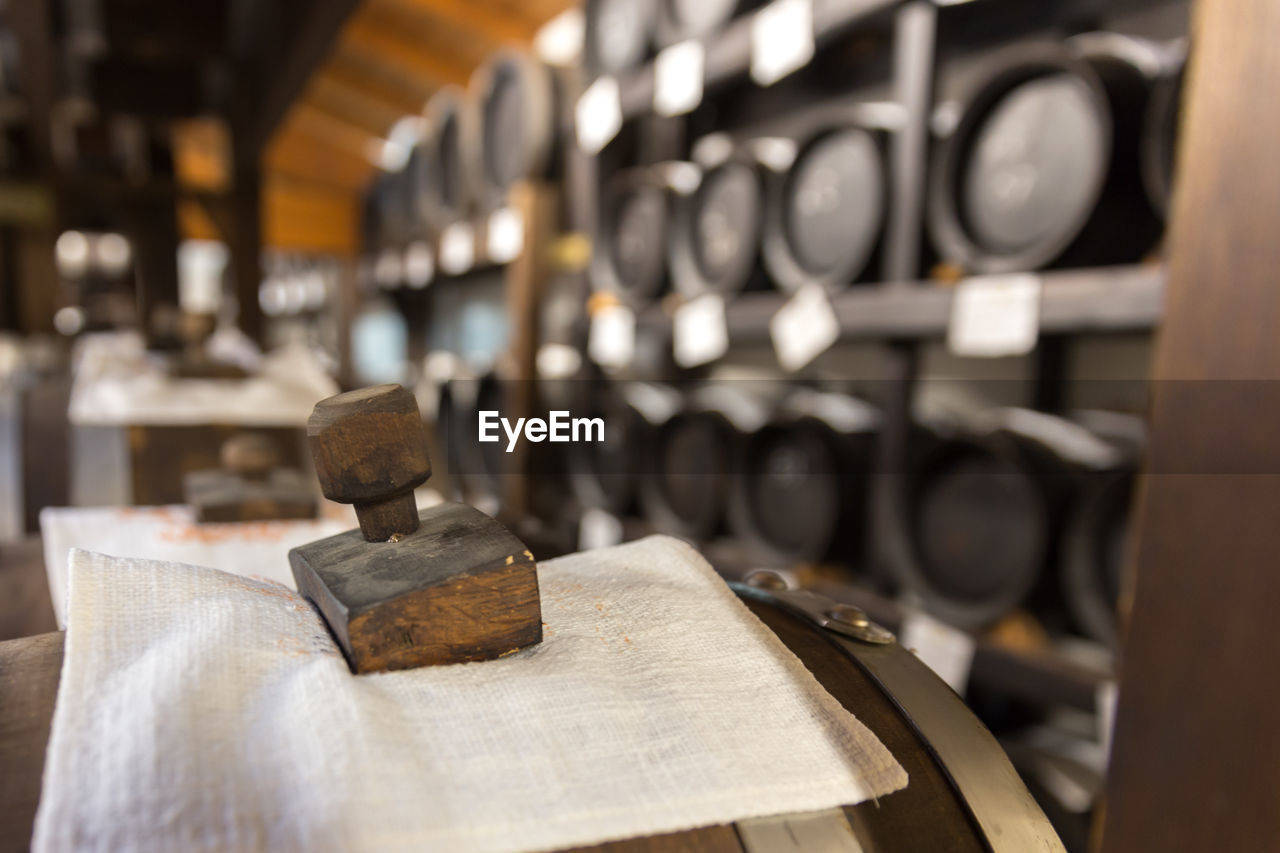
pixel 117 389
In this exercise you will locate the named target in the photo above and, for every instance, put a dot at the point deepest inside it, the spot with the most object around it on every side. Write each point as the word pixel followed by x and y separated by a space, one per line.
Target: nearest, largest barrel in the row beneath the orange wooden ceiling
pixel 518 99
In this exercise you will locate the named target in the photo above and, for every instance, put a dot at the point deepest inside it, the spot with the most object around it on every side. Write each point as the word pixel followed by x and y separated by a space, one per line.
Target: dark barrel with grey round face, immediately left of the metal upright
pixel 826 215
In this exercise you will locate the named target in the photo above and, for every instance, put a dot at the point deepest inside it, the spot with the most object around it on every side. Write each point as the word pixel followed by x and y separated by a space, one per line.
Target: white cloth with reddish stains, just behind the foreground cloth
pixel 171 533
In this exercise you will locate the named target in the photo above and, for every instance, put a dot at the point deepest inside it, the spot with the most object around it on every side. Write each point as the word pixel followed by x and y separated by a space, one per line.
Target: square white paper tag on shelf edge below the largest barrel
pixel 995 316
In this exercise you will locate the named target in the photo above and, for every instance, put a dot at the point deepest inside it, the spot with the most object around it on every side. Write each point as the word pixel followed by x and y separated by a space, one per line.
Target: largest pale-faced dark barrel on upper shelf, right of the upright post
pixel 1043 167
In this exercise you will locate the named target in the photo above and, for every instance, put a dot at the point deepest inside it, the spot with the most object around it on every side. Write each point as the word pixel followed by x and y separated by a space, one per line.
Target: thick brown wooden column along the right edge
pixel 1196 763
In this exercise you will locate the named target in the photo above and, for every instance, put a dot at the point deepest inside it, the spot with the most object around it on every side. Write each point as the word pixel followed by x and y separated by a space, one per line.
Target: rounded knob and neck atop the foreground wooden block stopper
pixel 371 451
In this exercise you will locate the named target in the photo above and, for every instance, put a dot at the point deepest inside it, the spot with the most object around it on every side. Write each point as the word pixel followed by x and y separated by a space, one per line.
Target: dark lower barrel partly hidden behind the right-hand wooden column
pixel 1094 554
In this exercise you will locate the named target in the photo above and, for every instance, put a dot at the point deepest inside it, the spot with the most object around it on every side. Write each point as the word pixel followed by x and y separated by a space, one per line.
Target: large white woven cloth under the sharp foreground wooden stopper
pixel 202 711
